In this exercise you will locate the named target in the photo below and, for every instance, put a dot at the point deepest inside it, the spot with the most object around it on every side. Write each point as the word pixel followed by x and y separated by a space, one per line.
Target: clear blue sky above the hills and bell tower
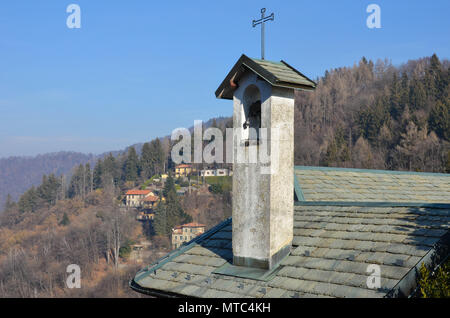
pixel 138 69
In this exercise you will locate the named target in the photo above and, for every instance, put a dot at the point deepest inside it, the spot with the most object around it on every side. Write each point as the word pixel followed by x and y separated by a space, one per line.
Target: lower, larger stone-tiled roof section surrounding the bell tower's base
pixel 332 248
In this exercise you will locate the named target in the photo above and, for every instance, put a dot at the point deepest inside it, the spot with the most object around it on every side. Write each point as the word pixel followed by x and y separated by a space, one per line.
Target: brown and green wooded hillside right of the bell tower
pixel 375 115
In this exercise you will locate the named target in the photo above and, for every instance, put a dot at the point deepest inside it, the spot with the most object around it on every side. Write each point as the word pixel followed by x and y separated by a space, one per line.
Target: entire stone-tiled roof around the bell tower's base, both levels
pixel 344 221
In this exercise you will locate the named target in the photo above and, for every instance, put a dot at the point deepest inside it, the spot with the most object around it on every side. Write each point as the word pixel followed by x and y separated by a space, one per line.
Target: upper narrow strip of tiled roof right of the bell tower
pixel 339 184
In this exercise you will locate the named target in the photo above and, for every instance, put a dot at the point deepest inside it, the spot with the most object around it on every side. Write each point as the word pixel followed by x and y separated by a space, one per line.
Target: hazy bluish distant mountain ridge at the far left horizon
pixel 17 174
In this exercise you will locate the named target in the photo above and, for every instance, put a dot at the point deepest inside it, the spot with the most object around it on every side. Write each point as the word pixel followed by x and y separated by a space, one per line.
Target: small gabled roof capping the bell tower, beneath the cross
pixel 279 74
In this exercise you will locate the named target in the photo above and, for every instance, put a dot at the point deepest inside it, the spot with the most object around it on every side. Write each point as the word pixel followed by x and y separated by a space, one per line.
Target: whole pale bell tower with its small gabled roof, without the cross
pixel 263 158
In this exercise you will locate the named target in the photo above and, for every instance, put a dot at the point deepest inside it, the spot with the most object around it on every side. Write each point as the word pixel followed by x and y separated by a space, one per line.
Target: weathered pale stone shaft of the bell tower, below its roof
pixel 263 200
